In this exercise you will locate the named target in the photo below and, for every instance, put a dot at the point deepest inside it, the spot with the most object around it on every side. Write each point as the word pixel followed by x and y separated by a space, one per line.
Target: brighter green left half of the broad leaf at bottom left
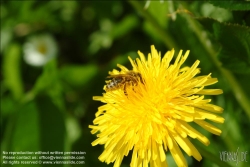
pixel 22 132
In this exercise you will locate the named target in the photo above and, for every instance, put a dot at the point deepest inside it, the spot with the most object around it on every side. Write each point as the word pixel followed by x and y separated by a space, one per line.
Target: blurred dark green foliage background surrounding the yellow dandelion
pixel 55 56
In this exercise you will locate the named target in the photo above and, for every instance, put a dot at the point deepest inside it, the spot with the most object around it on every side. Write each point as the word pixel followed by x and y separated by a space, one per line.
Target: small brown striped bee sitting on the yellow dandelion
pixel 120 81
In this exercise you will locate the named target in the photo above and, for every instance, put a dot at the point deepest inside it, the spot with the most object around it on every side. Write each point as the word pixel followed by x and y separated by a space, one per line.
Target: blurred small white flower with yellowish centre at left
pixel 38 50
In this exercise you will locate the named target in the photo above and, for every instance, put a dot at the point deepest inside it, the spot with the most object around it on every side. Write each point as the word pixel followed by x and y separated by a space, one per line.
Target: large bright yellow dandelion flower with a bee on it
pixel 148 110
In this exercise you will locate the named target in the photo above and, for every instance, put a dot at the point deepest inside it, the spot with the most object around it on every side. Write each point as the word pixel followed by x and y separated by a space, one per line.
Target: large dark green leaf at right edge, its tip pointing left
pixel 235 44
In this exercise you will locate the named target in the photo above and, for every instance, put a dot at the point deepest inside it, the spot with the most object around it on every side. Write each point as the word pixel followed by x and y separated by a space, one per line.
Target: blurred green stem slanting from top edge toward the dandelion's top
pixel 167 39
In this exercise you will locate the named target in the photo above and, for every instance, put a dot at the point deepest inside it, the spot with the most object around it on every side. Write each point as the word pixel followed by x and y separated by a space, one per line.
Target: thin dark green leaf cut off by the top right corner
pixel 232 4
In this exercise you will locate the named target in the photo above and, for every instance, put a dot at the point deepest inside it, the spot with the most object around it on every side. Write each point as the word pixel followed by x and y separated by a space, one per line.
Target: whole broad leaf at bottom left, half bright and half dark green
pixel 37 126
